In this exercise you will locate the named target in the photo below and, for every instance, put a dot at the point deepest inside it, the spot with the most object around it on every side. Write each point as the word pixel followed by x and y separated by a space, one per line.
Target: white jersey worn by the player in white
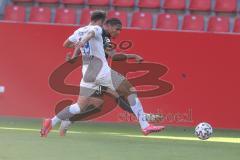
pixel 94 47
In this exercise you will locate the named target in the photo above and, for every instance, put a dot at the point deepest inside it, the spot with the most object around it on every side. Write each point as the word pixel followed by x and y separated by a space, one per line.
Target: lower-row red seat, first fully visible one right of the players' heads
pixel 142 20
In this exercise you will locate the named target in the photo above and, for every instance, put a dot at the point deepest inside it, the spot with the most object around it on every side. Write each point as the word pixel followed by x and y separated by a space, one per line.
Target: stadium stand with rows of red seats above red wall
pixel 195 15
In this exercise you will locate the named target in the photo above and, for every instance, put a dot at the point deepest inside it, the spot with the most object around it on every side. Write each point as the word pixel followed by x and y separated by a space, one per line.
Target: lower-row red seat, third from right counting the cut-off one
pixel 193 22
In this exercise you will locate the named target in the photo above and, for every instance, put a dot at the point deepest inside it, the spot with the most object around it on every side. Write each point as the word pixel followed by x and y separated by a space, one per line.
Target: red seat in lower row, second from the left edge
pixel 40 14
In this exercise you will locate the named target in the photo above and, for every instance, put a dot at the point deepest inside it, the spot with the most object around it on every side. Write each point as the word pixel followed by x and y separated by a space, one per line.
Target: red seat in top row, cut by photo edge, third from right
pixel 174 4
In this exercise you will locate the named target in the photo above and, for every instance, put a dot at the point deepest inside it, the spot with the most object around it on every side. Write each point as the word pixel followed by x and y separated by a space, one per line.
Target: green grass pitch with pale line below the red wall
pixel 19 140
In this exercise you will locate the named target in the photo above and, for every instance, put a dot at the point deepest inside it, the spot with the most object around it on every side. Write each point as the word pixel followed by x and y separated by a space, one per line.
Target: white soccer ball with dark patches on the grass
pixel 203 131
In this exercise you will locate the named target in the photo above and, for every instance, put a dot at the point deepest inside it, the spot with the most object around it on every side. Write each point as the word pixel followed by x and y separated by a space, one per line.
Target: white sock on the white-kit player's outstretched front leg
pixel 138 111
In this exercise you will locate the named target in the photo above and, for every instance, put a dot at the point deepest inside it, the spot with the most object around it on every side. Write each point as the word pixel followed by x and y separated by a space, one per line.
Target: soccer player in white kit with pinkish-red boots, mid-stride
pixel 96 72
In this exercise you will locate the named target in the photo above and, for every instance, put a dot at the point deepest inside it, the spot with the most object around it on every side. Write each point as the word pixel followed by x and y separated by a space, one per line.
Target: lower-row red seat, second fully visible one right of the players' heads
pixel 167 21
